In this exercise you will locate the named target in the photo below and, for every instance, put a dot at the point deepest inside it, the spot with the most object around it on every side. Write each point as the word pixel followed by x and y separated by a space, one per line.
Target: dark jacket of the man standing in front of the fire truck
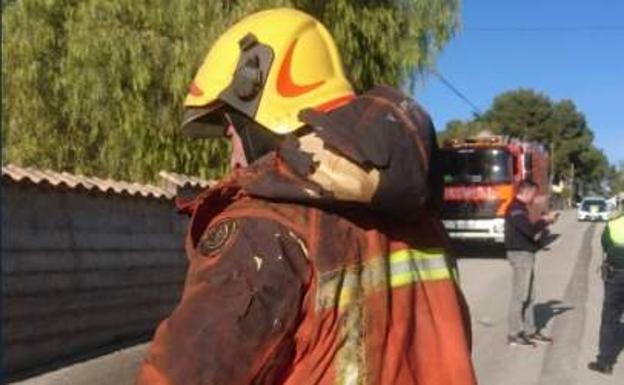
pixel 520 232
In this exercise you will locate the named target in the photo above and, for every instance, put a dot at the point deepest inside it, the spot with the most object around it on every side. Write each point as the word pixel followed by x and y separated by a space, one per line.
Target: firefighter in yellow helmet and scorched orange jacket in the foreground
pixel 321 258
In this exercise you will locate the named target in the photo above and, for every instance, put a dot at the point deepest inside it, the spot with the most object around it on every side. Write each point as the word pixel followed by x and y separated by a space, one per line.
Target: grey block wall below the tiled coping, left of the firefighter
pixel 82 270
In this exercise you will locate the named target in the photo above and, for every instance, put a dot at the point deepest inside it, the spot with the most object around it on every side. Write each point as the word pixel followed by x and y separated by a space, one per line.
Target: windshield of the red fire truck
pixel 477 166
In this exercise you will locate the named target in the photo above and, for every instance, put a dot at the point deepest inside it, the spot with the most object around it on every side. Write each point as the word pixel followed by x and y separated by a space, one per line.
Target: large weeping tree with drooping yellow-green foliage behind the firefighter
pixel 96 86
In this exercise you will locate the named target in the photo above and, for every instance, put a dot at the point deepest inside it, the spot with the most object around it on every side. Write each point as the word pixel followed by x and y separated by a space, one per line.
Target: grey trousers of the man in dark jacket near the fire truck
pixel 521 308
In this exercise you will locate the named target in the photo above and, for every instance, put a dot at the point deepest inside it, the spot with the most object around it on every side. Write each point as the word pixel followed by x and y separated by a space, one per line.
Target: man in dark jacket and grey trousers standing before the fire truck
pixel 522 239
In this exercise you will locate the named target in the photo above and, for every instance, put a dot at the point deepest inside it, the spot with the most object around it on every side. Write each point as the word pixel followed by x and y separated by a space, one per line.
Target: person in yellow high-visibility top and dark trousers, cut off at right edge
pixel 611 340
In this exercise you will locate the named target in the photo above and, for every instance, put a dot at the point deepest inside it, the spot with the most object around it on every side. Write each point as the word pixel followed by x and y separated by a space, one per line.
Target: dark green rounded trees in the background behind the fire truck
pixel 534 116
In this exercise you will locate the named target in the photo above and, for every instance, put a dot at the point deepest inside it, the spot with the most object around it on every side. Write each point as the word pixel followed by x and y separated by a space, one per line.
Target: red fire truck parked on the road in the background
pixel 481 175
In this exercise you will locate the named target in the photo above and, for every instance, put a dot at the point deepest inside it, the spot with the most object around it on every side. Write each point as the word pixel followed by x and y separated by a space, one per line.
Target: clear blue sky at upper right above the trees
pixel 570 49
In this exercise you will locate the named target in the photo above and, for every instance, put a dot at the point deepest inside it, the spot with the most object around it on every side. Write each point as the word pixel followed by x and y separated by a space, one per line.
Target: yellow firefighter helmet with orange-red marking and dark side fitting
pixel 269 66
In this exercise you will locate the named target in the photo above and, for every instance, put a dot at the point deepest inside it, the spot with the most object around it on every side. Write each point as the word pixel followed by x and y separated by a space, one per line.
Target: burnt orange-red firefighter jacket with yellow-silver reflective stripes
pixel 323 263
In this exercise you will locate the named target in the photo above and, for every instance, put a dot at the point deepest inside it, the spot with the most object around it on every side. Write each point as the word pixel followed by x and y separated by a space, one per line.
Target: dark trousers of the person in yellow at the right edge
pixel 612 323
